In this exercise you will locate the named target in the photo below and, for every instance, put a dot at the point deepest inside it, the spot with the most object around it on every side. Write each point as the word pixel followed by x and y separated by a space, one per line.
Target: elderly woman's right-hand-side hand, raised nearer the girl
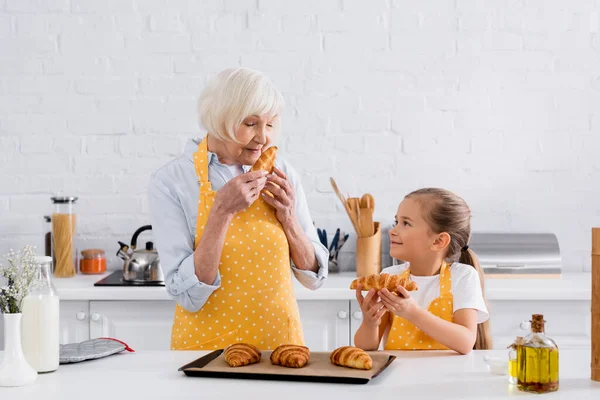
pixel 283 200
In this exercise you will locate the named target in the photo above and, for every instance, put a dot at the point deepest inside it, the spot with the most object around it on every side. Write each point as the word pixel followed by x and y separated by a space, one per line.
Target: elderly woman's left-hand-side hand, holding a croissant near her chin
pixel 240 192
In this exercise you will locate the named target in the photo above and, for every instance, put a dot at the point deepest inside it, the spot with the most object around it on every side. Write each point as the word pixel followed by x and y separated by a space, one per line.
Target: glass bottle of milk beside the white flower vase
pixel 40 332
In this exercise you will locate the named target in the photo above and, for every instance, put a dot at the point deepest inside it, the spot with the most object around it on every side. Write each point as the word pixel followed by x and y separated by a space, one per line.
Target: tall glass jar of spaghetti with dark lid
pixel 64 221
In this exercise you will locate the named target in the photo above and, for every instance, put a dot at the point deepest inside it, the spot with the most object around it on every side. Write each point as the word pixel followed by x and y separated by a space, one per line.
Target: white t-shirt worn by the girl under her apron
pixel 466 288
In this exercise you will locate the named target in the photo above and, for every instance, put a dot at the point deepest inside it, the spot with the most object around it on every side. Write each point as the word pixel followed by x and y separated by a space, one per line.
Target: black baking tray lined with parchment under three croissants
pixel 318 369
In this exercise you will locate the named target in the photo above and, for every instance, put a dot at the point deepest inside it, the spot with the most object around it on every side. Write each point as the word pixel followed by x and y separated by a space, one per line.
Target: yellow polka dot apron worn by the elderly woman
pixel 255 303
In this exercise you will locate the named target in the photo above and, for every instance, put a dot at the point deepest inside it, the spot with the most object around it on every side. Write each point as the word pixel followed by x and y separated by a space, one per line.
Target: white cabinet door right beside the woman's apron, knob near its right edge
pixel 326 324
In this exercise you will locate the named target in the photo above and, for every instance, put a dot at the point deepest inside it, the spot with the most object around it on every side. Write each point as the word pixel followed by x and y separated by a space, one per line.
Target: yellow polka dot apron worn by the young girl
pixel 403 335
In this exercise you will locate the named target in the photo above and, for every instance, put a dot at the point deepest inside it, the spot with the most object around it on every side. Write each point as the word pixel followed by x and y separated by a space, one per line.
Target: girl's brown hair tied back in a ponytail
pixel 444 211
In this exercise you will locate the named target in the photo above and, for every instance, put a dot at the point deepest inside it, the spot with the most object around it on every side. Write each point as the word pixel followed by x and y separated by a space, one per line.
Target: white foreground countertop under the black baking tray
pixel 413 375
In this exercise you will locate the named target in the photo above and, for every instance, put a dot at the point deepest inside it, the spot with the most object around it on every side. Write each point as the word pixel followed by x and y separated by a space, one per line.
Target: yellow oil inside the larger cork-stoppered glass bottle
pixel 538 370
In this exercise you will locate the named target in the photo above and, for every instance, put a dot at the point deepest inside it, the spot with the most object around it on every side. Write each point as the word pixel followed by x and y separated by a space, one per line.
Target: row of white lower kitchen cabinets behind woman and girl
pixel 327 324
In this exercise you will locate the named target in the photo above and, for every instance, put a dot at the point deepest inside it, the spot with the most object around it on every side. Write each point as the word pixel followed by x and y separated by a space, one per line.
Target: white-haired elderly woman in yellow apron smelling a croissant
pixel 229 238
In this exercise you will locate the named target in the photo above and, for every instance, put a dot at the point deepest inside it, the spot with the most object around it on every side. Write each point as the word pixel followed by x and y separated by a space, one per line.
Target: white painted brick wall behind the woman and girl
pixel 498 101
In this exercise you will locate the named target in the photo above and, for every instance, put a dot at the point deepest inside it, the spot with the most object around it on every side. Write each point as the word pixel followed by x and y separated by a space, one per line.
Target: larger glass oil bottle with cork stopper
pixel 537 360
